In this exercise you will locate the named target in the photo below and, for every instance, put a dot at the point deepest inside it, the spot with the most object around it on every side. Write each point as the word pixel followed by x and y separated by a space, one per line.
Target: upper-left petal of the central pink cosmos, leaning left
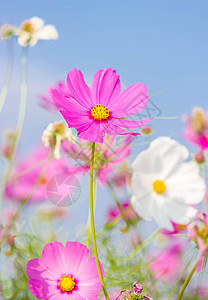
pixel 78 89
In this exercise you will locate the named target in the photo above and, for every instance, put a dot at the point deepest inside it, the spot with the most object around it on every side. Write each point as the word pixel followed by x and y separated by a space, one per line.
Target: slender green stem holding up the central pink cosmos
pixel 93 223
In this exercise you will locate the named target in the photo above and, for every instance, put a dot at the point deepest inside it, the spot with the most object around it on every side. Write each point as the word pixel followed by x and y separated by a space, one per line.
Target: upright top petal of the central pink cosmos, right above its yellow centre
pixel 105 86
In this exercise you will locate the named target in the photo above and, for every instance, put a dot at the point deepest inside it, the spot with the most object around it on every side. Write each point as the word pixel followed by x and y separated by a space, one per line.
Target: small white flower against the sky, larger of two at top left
pixel 32 30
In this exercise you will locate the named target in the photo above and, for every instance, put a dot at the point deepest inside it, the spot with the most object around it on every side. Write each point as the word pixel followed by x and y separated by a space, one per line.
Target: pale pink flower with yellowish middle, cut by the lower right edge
pixel 199 234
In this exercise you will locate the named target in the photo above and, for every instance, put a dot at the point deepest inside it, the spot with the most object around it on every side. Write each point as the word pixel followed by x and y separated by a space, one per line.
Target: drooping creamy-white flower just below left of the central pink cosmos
pixel 54 135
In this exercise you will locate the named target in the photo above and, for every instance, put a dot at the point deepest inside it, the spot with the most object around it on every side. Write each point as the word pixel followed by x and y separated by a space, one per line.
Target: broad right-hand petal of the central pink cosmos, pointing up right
pixel 131 101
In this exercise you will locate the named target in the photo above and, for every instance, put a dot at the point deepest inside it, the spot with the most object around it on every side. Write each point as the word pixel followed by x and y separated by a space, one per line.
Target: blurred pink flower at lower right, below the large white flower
pixel 167 266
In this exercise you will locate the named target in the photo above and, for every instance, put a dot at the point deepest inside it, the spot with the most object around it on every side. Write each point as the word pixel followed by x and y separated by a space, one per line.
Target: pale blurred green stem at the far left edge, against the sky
pixel 5 87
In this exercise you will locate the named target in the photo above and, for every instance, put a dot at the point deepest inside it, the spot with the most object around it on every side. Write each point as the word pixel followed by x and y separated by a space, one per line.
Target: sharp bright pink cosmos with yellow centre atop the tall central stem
pixel 101 109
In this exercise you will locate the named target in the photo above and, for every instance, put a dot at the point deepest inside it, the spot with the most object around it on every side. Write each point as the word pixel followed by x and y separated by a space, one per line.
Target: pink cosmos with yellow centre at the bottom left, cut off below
pixel 64 273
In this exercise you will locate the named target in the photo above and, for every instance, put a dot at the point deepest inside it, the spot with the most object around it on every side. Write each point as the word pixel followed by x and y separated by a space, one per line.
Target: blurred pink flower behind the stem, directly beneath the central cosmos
pixel 107 156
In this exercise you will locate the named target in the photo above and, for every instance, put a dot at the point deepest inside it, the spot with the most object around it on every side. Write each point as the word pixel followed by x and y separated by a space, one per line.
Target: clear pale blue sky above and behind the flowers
pixel 161 43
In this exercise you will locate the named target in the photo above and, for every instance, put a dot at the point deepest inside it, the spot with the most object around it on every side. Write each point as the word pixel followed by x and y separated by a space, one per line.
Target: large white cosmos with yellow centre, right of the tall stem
pixel 164 186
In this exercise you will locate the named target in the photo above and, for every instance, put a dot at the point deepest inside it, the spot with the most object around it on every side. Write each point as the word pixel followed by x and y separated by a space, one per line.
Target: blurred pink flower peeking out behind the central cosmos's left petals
pixel 49 102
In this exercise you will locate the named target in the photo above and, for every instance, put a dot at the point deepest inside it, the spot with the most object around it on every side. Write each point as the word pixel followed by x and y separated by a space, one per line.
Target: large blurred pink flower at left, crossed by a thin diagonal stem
pixel 25 175
